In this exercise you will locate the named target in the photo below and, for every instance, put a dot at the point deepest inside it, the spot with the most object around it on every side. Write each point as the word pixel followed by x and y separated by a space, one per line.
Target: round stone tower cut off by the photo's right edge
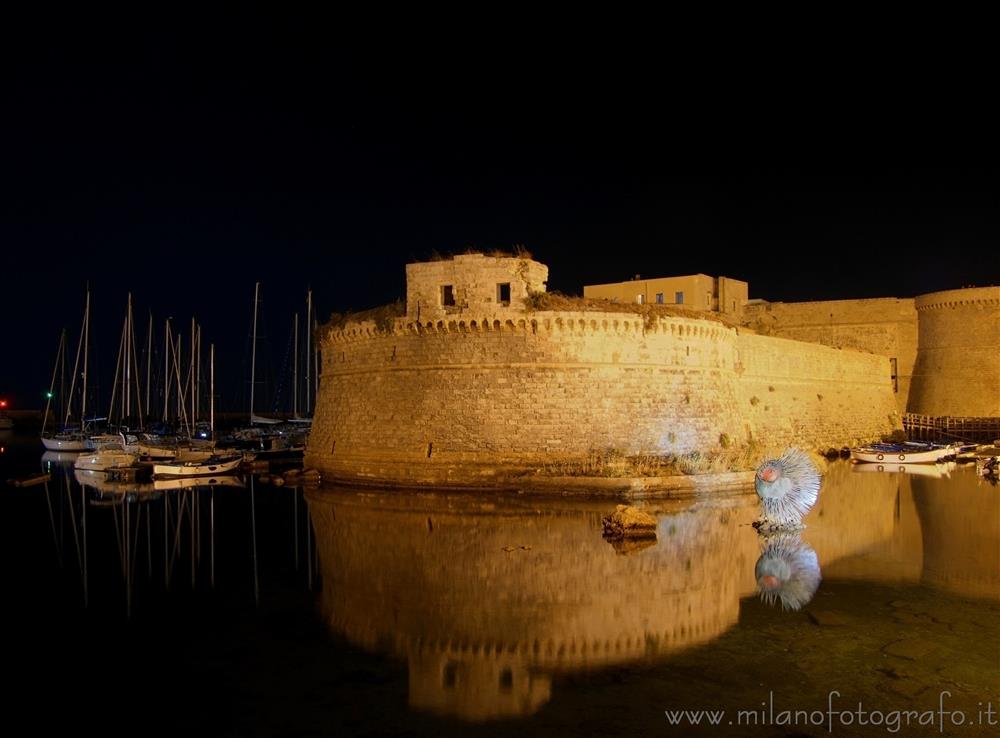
pixel 957 369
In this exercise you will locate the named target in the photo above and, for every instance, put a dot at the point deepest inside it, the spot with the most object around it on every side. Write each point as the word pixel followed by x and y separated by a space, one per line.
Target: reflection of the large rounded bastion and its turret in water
pixel 481 626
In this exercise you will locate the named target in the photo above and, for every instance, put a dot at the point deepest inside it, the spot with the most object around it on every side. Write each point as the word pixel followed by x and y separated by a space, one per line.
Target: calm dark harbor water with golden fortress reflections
pixel 261 610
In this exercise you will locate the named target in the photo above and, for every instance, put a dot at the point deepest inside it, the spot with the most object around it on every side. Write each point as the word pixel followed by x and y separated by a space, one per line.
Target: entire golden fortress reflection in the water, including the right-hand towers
pixel 489 597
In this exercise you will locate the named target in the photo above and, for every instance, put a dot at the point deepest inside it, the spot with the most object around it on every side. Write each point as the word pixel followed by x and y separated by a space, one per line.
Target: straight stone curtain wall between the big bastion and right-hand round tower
pixel 885 326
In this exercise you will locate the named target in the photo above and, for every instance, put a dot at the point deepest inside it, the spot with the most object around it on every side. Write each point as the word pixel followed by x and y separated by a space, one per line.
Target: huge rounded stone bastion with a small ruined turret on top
pixel 478 385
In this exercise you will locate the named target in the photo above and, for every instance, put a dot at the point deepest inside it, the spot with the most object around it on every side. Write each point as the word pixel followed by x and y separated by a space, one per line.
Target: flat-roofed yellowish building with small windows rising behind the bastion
pixel 695 291
